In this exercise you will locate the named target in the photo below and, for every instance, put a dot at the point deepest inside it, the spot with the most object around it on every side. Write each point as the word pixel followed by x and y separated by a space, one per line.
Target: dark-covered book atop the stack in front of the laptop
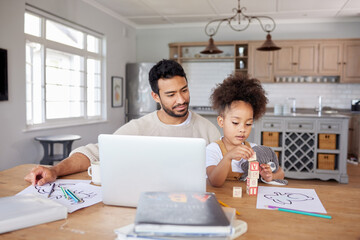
pixel 180 214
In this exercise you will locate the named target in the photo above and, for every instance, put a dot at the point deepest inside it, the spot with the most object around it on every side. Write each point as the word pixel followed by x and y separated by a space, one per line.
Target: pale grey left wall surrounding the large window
pixel 18 146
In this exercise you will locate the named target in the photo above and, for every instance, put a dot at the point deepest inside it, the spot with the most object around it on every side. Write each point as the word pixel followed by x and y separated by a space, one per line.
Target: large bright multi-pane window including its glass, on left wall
pixel 64 72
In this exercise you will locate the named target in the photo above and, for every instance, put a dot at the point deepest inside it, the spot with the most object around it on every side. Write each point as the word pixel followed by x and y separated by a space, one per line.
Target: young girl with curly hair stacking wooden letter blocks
pixel 239 101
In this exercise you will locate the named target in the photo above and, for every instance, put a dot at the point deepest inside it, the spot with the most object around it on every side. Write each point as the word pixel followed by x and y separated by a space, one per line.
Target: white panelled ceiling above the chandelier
pixel 148 13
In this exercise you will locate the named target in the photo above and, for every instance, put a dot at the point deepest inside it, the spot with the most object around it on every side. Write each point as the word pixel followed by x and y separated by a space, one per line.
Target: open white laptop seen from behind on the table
pixel 131 165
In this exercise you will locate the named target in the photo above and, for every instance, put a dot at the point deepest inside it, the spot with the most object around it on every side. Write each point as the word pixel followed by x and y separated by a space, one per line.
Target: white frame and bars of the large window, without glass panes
pixel 72 121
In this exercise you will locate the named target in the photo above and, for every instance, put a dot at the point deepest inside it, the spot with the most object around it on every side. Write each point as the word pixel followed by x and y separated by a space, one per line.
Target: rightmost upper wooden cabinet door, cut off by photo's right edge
pixel 351 62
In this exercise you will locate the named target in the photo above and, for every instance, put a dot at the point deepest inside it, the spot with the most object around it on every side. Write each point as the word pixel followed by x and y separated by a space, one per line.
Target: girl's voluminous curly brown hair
pixel 239 87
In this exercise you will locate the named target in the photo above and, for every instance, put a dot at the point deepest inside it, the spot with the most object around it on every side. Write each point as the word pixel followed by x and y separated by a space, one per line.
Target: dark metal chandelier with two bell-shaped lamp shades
pixel 240 22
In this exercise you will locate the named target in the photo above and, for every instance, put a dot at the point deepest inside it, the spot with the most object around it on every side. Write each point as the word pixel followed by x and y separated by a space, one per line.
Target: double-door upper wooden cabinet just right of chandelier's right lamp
pixel 296 58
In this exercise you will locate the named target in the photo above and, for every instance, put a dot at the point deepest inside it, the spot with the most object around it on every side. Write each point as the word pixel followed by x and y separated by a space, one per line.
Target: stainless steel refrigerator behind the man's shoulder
pixel 138 98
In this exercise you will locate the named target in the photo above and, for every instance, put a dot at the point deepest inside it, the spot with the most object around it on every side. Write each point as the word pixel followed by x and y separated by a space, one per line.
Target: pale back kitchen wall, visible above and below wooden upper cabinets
pixel 152 45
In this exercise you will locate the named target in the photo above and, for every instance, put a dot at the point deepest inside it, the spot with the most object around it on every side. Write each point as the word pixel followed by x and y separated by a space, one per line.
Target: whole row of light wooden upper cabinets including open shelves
pixel 336 58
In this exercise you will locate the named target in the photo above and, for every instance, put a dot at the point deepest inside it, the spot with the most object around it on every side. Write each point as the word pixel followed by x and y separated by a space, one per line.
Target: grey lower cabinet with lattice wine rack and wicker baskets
pixel 309 146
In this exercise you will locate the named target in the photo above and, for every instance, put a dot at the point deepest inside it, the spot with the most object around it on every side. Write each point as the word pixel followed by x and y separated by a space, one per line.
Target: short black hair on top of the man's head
pixel 164 69
